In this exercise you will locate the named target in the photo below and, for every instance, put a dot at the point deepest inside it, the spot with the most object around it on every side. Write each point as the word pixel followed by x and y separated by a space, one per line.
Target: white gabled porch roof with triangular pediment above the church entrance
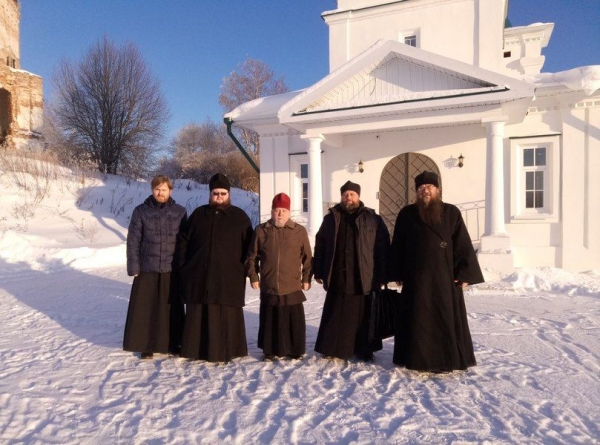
pixel 393 82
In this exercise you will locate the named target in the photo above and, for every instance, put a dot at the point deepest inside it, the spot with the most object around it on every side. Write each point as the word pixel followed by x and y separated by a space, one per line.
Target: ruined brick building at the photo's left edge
pixel 21 92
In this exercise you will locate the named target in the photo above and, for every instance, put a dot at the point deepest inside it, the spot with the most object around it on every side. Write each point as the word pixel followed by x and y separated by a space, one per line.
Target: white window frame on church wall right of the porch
pixel 550 210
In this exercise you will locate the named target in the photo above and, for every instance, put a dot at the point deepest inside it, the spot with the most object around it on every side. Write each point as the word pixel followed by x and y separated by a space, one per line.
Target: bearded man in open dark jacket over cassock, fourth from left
pixel 351 249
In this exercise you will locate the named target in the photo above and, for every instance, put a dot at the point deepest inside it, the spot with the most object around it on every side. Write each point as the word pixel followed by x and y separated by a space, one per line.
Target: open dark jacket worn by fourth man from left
pixel 372 247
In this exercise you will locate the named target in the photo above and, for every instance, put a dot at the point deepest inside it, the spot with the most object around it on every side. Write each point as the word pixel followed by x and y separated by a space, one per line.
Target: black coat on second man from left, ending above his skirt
pixel 210 254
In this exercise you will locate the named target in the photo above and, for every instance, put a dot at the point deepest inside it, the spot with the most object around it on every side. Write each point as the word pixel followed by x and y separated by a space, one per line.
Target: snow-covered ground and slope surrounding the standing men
pixel 64 378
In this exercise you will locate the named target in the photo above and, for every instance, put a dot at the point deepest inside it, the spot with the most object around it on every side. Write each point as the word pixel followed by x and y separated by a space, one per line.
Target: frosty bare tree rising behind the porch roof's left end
pixel 251 80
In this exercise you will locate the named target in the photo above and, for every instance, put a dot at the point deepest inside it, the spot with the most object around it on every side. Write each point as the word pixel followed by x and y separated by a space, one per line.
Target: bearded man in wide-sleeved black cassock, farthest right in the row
pixel 433 258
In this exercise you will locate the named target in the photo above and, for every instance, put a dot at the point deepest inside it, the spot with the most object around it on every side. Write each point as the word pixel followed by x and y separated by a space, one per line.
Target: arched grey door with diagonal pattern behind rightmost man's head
pixel 396 186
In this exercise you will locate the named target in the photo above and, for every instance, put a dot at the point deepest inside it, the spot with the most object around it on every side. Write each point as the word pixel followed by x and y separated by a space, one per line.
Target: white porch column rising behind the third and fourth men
pixel 315 186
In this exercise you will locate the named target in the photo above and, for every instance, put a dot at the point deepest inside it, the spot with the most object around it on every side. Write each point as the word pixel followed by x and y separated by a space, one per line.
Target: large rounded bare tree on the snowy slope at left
pixel 110 108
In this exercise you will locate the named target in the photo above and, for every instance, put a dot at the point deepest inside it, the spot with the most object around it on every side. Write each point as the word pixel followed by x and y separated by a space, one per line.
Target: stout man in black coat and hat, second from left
pixel 211 254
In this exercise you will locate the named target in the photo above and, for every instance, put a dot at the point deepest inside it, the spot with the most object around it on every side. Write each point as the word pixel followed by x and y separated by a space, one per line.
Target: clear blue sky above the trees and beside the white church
pixel 191 45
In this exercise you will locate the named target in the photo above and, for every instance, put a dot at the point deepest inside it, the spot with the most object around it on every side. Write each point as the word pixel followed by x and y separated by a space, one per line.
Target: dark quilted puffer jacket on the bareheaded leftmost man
pixel 152 236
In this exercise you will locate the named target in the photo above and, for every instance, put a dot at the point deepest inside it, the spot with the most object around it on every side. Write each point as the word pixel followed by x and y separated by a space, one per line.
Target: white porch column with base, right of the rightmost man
pixel 495 252
